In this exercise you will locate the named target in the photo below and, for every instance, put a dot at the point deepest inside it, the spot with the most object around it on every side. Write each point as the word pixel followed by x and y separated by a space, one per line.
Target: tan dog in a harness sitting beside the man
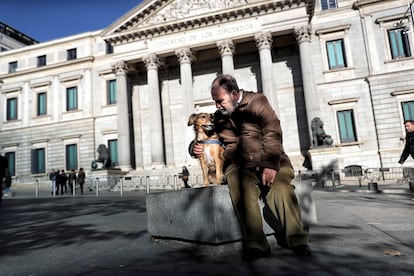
pixel 212 160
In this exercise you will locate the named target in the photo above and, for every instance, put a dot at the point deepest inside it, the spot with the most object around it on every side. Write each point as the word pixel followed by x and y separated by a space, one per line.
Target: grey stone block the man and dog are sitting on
pixel 206 214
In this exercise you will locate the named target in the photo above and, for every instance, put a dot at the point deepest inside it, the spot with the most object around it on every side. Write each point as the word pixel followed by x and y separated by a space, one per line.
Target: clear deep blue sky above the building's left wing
pixel 45 20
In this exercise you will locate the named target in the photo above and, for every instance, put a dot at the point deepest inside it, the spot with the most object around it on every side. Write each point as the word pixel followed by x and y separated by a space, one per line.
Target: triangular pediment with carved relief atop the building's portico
pixel 166 16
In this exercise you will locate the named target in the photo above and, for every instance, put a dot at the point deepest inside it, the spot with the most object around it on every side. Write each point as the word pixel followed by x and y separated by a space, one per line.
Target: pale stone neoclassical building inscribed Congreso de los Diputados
pixel 343 67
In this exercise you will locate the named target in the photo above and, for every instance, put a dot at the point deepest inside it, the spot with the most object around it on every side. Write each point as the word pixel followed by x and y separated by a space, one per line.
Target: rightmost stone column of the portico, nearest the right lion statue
pixel 303 37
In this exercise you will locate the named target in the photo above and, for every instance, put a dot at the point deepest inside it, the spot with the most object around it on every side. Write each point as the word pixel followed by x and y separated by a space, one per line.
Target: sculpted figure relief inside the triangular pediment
pixel 185 8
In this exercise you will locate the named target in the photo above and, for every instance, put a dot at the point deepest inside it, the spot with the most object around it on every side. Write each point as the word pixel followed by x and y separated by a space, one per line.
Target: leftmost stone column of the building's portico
pixel 124 150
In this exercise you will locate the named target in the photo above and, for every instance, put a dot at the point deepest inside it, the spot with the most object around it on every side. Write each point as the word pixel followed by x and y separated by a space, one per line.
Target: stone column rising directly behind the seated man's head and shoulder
pixel 264 44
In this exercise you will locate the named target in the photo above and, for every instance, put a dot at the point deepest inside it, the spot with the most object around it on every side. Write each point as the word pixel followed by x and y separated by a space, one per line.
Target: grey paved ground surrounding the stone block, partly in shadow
pixel 357 234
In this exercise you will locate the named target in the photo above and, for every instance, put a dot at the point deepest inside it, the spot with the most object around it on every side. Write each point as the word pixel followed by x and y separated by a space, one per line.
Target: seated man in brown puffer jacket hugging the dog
pixel 255 161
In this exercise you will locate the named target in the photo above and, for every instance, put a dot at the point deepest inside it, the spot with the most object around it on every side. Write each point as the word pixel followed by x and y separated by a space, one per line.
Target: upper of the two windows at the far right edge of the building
pixel 399 44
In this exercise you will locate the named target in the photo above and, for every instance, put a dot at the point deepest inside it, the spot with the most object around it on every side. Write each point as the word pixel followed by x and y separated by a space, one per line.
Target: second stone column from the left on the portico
pixel 152 63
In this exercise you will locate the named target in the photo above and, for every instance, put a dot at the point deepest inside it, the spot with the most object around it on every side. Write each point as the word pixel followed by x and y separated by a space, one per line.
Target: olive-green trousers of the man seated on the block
pixel 281 208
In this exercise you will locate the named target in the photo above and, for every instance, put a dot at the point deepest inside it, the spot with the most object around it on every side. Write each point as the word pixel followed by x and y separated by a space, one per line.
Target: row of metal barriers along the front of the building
pixel 328 178
